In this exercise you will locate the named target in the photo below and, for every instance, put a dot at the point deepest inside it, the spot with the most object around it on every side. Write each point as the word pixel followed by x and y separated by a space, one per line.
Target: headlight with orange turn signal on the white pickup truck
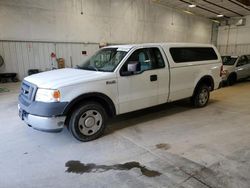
pixel 48 95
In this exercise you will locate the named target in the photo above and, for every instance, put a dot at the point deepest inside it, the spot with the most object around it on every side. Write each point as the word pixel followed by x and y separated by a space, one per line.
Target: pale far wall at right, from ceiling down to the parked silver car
pixel 234 40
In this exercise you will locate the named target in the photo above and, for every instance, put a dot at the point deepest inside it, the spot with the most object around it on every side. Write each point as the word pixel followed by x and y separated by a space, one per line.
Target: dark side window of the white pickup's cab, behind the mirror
pixel 147 59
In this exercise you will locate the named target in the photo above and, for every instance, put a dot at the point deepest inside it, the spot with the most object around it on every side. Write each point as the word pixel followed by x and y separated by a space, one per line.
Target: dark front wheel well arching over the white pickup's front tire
pixel 102 99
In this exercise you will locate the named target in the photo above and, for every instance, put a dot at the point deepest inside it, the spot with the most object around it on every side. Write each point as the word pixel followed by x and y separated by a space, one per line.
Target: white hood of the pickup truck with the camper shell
pixel 63 77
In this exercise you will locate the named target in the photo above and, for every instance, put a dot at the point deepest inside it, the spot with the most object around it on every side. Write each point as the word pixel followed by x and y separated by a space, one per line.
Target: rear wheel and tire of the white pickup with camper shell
pixel 201 96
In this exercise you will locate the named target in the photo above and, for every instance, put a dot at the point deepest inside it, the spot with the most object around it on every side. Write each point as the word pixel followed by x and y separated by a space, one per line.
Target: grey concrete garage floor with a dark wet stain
pixel 180 147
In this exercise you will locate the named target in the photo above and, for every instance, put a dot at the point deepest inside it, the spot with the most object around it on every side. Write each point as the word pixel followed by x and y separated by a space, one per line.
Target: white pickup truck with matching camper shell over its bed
pixel 117 80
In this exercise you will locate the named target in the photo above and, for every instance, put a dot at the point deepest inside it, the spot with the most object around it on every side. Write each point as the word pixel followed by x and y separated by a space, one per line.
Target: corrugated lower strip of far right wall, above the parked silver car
pixel 236 49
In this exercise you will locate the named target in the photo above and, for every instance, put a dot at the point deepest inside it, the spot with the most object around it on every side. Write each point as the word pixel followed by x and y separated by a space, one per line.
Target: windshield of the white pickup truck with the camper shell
pixel 105 60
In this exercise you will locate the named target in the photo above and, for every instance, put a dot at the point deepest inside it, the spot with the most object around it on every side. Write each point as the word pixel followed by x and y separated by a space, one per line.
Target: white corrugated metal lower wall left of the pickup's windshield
pixel 19 57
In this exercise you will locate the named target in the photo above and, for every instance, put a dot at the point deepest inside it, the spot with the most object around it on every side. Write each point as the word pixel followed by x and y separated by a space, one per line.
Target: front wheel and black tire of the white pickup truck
pixel 88 122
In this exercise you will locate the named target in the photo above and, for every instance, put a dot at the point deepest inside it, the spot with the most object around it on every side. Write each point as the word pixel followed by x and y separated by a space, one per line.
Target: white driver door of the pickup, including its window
pixel 139 90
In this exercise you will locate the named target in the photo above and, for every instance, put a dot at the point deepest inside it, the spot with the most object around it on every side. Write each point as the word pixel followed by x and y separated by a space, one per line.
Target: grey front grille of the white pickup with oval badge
pixel 27 93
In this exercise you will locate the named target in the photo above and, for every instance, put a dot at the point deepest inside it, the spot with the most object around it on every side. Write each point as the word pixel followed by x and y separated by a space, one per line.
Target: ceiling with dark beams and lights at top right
pixel 211 8
